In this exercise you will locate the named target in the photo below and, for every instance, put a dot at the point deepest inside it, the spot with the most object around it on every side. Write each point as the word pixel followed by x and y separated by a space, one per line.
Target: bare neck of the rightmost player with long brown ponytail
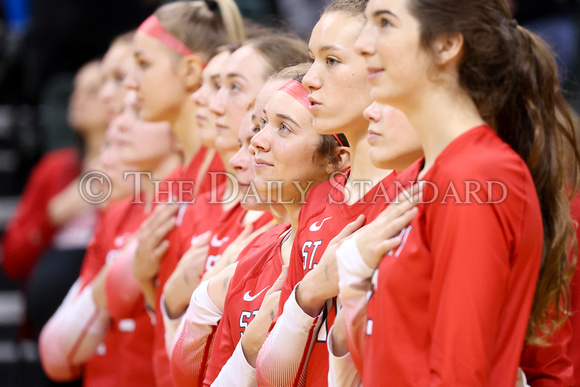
pixel 439 117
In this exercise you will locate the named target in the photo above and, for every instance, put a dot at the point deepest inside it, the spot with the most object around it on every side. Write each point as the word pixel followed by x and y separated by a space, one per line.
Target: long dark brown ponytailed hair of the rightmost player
pixel 512 76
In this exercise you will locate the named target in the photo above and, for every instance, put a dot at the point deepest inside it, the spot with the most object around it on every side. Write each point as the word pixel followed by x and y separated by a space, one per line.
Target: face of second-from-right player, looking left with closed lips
pixel 337 80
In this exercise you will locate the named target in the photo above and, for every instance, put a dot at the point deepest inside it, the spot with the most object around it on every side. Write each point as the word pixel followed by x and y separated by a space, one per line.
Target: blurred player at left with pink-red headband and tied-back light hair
pixel 171 49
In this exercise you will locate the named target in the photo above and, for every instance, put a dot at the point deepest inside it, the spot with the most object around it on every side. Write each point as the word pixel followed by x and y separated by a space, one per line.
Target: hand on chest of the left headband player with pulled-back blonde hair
pixel 152 244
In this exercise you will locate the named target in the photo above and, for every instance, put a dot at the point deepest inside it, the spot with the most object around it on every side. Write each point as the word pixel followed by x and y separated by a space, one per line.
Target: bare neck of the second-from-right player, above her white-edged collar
pixel 361 167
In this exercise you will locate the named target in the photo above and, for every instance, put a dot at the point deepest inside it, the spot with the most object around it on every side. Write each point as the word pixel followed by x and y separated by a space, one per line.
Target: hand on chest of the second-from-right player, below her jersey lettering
pixel 321 283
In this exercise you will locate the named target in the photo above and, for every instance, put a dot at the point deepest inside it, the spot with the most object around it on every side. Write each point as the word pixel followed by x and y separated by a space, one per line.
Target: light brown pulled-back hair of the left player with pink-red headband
pixel 203 26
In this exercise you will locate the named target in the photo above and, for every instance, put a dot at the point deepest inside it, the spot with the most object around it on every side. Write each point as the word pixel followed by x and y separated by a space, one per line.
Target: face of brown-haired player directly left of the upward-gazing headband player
pixel 241 77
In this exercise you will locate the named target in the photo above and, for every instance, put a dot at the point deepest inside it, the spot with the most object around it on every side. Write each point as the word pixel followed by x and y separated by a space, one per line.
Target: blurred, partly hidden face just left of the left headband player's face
pixel 115 66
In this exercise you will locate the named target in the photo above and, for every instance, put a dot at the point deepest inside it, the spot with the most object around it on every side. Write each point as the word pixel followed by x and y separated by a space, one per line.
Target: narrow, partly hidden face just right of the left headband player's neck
pixel 203 96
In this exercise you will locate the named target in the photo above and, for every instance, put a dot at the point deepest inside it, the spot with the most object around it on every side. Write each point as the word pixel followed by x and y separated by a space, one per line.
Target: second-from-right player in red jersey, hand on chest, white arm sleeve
pixel 310 310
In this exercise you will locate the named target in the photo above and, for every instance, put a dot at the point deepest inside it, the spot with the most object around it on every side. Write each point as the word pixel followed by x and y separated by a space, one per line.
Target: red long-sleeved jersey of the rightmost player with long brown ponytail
pixel 451 305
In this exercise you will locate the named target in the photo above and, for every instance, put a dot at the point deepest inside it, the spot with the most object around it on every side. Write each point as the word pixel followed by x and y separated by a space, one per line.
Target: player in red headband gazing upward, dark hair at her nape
pixel 276 149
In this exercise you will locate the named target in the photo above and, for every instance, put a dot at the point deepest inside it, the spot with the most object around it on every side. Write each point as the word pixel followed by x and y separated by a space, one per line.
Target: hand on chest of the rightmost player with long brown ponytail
pixel 381 235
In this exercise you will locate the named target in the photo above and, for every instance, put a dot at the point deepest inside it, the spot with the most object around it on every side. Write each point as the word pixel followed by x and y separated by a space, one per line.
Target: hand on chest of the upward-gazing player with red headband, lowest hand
pixel 257 331
